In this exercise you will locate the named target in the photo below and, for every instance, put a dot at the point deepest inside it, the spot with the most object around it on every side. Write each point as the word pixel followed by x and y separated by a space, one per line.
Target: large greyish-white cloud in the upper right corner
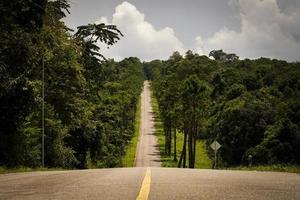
pixel 265 31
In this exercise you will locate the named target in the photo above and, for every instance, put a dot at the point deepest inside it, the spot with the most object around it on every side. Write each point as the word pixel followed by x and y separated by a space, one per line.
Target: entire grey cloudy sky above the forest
pixel 155 29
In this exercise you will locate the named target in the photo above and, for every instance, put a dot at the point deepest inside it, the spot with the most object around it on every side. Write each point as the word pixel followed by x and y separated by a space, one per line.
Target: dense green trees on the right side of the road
pixel 251 107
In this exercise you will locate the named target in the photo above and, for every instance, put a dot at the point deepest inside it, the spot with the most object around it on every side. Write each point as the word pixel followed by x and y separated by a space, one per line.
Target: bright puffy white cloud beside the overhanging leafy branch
pixel 141 38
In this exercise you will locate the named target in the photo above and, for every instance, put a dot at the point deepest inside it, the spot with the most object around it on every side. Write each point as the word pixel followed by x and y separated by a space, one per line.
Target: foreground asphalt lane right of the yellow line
pixel 223 184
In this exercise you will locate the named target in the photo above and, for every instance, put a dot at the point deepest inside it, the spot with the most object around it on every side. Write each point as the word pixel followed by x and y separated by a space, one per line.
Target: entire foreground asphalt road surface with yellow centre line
pixel 162 183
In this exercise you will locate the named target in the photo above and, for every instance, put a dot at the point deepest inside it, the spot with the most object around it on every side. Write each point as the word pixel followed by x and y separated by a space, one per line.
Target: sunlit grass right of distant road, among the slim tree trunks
pixel 202 159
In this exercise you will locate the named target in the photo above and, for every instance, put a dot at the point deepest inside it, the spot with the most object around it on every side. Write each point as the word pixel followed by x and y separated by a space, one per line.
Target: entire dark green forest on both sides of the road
pixel 57 89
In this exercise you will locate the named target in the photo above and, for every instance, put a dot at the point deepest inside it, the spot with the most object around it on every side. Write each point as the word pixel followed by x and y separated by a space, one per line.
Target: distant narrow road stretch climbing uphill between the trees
pixel 147 153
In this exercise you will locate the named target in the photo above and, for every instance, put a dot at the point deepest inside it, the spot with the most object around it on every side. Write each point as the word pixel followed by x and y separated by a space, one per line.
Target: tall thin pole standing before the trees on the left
pixel 43 113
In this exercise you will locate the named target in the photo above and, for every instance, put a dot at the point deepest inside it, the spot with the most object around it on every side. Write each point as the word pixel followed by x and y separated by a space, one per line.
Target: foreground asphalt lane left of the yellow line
pixel 122 183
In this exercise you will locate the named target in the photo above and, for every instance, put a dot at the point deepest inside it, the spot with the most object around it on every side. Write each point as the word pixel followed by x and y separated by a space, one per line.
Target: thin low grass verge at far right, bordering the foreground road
pixel 274 168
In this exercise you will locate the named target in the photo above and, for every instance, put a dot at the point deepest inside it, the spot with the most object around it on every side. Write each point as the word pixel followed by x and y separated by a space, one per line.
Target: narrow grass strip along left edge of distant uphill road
pixel 129 157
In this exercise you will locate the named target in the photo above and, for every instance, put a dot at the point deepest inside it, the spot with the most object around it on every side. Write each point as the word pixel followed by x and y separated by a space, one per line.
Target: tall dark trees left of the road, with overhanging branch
pixel 89 102
